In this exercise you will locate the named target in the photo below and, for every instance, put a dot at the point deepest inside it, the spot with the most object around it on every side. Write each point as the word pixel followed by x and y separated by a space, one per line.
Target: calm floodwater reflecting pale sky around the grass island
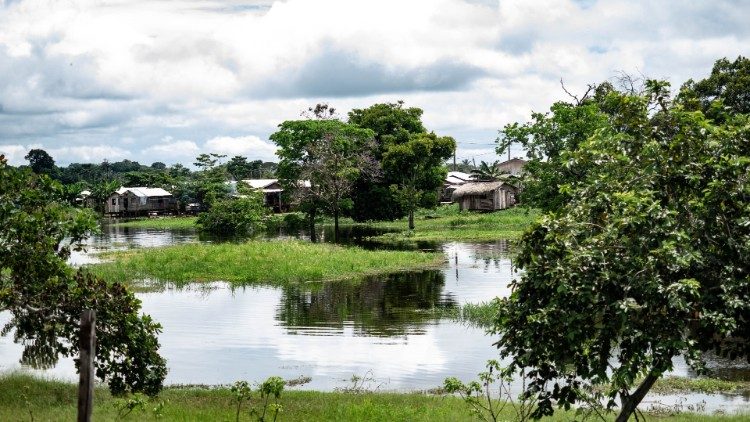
pixel 388 328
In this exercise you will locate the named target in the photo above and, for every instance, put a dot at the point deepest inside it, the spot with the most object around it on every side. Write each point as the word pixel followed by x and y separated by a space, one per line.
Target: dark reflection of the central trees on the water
pixel 393 305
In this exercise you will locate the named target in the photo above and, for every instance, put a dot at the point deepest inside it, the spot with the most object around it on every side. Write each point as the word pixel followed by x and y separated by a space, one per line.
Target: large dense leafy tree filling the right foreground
pixel 645 261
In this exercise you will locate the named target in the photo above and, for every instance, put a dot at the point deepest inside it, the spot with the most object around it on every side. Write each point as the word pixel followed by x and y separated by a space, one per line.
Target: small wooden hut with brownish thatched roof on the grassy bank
pixel 485 196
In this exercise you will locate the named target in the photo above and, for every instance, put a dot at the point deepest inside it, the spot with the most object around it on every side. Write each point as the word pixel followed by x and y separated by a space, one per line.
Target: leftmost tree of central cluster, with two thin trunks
pixel 330 155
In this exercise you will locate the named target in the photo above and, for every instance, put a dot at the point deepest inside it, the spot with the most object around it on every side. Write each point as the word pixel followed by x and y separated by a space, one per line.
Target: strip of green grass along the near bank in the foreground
pixel 22 396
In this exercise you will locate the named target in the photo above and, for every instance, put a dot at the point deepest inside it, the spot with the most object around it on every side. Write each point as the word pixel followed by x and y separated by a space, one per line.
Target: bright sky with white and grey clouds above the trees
pixel 164 81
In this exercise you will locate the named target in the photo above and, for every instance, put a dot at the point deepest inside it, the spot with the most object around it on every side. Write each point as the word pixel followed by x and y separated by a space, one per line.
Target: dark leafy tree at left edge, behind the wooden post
pixel 45 296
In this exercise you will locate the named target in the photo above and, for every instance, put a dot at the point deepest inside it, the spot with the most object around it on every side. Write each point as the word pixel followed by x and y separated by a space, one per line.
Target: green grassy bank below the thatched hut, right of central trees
pixel 447 223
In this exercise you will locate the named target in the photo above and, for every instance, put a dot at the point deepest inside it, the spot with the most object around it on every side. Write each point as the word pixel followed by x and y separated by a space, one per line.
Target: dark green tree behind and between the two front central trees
pixel 392 124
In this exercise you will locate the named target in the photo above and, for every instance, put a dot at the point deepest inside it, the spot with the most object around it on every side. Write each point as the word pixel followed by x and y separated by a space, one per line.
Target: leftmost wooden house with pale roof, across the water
pixel 140 201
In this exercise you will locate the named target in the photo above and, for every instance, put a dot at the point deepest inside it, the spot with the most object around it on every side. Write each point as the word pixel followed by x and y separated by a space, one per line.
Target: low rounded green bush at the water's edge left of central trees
pixel 239 216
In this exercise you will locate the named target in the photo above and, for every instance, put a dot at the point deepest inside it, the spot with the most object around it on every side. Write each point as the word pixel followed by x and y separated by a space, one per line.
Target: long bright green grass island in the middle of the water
pixel 257 262
